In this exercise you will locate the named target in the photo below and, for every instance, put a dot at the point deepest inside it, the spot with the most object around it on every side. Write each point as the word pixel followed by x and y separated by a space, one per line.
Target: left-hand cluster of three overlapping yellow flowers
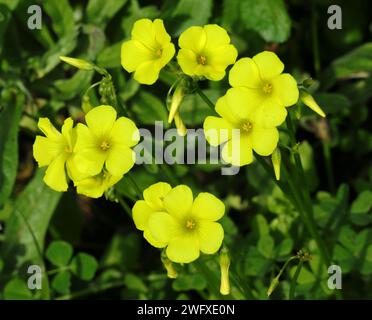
pixel 94 156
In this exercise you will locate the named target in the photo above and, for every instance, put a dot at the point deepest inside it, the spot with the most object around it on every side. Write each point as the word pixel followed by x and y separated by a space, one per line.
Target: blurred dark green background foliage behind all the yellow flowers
pixel 90 248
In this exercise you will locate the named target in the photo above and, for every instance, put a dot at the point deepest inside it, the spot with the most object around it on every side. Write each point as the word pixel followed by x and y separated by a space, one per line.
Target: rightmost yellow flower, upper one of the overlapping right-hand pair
pixel 268 89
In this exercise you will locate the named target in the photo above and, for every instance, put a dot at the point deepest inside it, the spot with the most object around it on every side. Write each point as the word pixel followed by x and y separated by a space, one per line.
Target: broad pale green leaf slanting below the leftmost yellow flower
pixel 35 205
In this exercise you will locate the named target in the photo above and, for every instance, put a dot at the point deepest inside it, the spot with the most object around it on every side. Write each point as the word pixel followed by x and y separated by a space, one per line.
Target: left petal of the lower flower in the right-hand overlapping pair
pixel 217 130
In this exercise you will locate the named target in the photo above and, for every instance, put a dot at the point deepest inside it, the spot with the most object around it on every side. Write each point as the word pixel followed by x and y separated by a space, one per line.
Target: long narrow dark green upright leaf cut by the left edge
pixel 9 120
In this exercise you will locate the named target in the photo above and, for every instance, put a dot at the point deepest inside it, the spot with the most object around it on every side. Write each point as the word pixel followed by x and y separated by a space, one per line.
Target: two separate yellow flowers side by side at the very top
pixel 204 51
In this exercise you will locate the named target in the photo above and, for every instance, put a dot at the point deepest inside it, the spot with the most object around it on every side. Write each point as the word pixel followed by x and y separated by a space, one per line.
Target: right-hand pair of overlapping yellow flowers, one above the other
pixel 254 106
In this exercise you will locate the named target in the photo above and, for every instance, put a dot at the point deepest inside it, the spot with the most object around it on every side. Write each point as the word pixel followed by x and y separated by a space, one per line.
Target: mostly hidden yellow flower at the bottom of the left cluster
pixel 95 186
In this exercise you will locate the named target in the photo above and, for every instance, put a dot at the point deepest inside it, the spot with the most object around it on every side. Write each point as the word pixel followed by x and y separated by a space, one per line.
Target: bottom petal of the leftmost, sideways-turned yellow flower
pixel 55 176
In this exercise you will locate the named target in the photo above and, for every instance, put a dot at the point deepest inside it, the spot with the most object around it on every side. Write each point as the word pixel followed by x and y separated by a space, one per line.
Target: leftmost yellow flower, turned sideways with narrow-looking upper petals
pixel 55 150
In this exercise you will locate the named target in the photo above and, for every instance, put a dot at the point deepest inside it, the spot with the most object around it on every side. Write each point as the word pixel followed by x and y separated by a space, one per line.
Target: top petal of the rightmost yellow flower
pixel 269 65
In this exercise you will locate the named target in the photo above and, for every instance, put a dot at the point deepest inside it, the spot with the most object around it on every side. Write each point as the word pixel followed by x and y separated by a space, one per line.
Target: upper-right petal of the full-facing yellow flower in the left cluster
pixel 124 132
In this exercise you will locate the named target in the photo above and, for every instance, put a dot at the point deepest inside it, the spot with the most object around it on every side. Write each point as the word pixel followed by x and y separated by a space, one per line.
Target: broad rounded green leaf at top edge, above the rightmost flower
pixel 267 17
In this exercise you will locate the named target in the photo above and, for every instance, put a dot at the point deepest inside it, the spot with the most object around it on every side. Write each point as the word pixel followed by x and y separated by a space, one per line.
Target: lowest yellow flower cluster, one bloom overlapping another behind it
pixel 172 218
